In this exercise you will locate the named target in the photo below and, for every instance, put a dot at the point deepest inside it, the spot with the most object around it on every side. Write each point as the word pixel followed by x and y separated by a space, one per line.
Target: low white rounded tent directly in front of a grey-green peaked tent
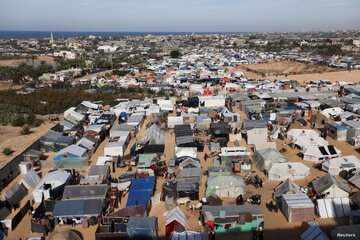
pixel 288 170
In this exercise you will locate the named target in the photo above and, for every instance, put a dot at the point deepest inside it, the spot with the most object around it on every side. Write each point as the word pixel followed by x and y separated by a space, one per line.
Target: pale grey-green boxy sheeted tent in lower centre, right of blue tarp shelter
pixel 225 186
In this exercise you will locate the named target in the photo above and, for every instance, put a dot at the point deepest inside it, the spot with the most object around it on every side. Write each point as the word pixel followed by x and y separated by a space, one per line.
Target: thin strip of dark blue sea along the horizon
pixel 46 34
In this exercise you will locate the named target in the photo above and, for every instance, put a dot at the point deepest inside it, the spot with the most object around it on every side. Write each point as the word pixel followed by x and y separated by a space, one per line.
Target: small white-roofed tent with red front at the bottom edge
pixel 175 221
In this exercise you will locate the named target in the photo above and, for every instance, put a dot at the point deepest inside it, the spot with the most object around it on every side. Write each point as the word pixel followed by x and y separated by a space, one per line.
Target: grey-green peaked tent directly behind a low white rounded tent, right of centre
pixel 265 158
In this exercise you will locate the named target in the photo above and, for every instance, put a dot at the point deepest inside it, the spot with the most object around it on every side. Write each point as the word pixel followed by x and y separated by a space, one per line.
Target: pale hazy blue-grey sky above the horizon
pixel 179 15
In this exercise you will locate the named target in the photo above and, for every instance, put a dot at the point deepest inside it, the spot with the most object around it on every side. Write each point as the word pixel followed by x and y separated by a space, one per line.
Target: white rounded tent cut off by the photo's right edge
pixel 336 165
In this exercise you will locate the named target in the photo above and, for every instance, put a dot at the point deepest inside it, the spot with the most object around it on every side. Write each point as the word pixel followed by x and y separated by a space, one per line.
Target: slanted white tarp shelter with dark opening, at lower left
pixel 51 185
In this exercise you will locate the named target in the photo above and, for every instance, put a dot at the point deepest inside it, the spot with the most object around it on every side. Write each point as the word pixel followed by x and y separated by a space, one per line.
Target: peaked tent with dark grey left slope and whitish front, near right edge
pixel 331 187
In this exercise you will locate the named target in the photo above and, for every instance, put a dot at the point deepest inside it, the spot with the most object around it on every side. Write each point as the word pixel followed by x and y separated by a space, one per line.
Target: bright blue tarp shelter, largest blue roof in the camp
pixel 141 190
